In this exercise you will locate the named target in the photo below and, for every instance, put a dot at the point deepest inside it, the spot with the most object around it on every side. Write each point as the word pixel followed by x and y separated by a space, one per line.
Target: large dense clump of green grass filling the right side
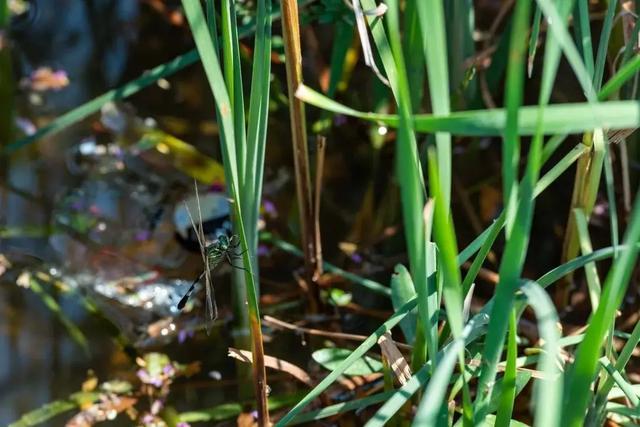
pixel 562 397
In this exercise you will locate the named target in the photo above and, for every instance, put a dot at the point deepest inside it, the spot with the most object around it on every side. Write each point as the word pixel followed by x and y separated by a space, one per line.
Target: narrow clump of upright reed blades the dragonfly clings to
pixel 243 145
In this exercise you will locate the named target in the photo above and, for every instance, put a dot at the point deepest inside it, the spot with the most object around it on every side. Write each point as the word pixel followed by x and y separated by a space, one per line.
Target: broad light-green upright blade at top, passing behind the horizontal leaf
pixel 432 23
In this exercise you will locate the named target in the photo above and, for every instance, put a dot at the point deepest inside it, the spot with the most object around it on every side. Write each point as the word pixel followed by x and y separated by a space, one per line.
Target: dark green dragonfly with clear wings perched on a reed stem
pixel 224 248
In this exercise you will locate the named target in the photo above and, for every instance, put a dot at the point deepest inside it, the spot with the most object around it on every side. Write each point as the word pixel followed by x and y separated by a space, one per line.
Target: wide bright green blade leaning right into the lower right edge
pixel 584 369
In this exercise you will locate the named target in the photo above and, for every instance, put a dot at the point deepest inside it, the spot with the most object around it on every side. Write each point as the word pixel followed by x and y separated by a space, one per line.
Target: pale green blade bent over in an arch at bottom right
pixel 548 395
